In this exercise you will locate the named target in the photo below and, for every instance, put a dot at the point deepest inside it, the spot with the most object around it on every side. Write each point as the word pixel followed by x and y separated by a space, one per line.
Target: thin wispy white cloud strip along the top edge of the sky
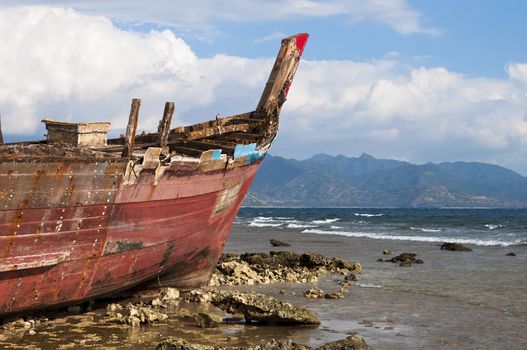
pixel 206 14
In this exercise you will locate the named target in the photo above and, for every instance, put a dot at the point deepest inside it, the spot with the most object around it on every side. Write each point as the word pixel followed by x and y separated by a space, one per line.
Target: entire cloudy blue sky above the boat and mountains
pixel 421 81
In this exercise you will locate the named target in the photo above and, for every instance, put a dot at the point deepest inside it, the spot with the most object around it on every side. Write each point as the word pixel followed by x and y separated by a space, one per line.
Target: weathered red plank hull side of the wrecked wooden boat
pixel 81 233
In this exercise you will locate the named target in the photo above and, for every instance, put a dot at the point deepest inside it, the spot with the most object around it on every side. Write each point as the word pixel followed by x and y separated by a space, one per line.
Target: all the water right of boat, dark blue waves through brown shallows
pixel 454 300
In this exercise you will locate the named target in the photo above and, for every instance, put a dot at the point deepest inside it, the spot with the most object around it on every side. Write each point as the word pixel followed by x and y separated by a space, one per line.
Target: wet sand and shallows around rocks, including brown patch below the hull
pixel 455 300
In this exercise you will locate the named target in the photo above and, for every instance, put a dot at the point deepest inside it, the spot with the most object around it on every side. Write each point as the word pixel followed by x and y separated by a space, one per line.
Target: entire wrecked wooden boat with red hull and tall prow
pixel 83 216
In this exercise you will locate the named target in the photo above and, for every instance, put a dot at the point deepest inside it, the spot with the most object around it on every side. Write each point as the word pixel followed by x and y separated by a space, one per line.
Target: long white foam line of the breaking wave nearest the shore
pixel 413 238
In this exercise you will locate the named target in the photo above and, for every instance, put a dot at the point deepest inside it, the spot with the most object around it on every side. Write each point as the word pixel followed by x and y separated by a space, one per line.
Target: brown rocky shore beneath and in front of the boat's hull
pixel 211 307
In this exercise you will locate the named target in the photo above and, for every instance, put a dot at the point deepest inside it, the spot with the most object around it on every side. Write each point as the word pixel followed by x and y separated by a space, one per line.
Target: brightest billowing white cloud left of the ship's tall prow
pixel 59 63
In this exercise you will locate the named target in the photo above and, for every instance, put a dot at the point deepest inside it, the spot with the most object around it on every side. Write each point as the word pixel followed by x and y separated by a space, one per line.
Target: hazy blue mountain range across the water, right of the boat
pixel 328 181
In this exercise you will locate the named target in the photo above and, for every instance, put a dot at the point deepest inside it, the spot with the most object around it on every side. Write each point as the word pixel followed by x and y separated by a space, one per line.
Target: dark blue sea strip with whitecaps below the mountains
pixel 483 227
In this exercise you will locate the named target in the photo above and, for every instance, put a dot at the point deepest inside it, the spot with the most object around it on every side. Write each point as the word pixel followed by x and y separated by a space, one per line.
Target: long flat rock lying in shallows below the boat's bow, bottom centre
pixel 261 308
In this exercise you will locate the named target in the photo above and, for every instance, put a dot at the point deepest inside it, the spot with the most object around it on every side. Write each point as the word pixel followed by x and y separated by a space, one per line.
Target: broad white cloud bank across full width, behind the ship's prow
pixel 63 64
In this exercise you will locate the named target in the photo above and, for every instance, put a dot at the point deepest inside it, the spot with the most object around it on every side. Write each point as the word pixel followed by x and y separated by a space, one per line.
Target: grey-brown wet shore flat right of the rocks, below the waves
pixel 462 300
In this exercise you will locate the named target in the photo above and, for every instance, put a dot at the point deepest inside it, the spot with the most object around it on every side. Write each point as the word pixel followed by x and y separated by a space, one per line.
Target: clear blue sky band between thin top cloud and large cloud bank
pixel 475 37
